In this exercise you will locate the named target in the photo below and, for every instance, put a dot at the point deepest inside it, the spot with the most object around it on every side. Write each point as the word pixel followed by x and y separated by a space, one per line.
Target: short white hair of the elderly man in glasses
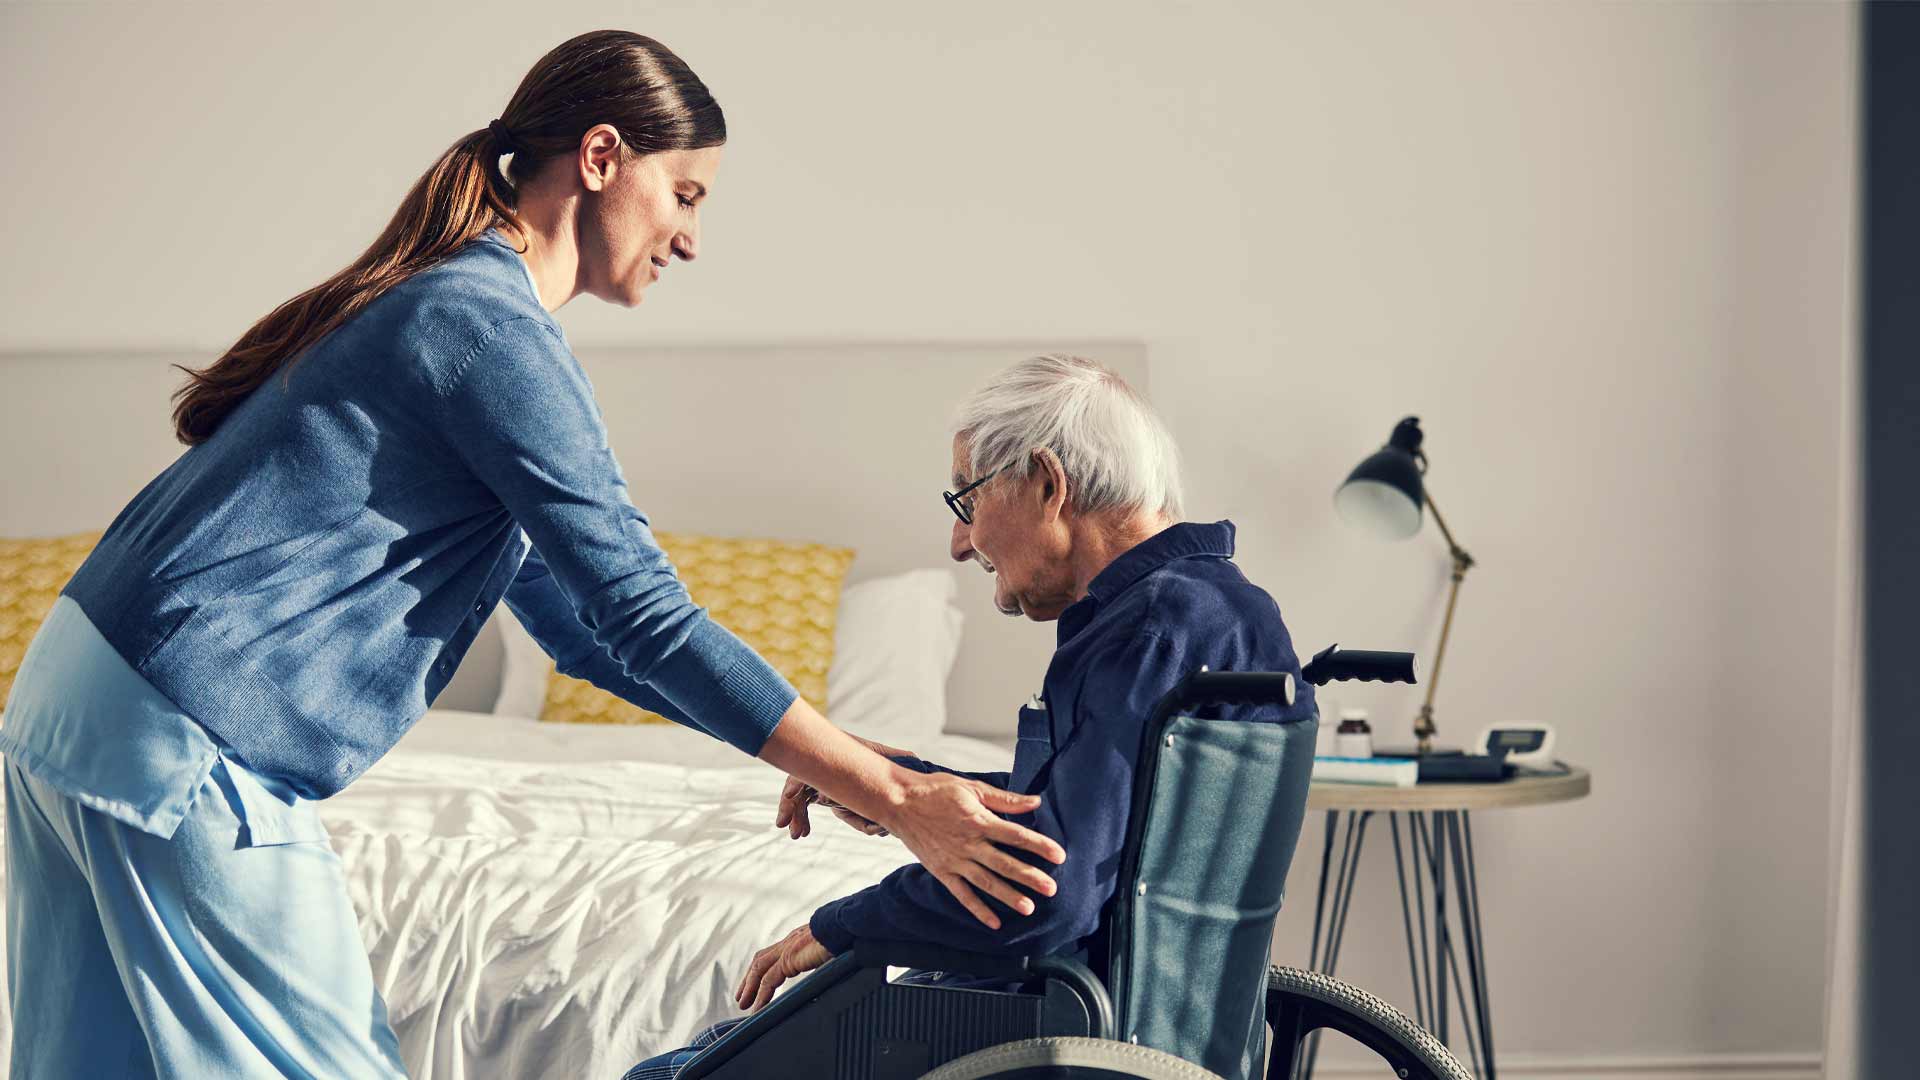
pixel 1111 443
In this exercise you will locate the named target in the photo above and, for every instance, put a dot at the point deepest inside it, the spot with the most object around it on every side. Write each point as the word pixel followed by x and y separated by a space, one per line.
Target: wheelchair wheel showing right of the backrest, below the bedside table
pixel 1299 1002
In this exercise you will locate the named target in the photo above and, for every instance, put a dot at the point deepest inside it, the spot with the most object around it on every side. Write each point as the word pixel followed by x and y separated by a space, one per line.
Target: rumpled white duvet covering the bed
pixel 546 900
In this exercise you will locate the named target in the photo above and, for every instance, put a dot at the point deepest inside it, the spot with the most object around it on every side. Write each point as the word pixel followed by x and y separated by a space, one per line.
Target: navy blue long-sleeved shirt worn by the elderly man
pixel 1153 618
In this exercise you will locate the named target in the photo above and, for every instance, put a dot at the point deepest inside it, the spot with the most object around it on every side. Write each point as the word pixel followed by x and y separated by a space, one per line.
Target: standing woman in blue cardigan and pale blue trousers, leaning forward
pixel 372 470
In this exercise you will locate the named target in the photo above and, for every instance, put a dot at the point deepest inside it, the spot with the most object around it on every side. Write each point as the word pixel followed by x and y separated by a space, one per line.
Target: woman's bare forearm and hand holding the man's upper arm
pixel 949 823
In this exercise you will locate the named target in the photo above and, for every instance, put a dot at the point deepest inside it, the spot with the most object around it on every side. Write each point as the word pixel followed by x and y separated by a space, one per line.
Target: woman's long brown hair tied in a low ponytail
pixel 617 78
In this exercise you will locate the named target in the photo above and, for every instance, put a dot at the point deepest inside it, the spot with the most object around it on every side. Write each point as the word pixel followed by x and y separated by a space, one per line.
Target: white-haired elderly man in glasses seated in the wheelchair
pixel 1067 491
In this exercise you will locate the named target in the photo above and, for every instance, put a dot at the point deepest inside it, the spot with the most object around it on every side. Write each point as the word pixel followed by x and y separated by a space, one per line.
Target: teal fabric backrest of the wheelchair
pixel 1216 816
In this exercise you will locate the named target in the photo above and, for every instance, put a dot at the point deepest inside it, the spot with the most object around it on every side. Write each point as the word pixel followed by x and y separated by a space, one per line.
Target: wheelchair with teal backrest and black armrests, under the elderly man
pixel 1186 989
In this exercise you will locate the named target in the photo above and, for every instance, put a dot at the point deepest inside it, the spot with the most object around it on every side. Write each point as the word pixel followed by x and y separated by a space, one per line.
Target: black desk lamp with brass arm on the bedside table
pixel 1383 497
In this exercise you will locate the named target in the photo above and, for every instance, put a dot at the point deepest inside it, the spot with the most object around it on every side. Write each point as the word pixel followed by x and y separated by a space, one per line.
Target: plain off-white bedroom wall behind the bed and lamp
pixel 1600 249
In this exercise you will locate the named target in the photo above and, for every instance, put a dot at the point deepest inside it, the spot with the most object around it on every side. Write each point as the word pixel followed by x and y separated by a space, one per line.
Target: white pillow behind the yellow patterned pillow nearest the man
pixel 894 647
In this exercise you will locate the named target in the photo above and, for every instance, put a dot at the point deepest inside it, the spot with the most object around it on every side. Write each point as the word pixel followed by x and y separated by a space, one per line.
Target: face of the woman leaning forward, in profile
pixel 642 216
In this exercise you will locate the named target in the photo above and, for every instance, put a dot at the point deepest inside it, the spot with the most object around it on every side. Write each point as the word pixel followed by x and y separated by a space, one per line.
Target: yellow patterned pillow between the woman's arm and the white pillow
pixel 777 597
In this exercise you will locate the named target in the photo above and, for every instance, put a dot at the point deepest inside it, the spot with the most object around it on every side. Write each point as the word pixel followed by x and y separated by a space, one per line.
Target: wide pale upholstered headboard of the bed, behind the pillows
pixel 844 445
